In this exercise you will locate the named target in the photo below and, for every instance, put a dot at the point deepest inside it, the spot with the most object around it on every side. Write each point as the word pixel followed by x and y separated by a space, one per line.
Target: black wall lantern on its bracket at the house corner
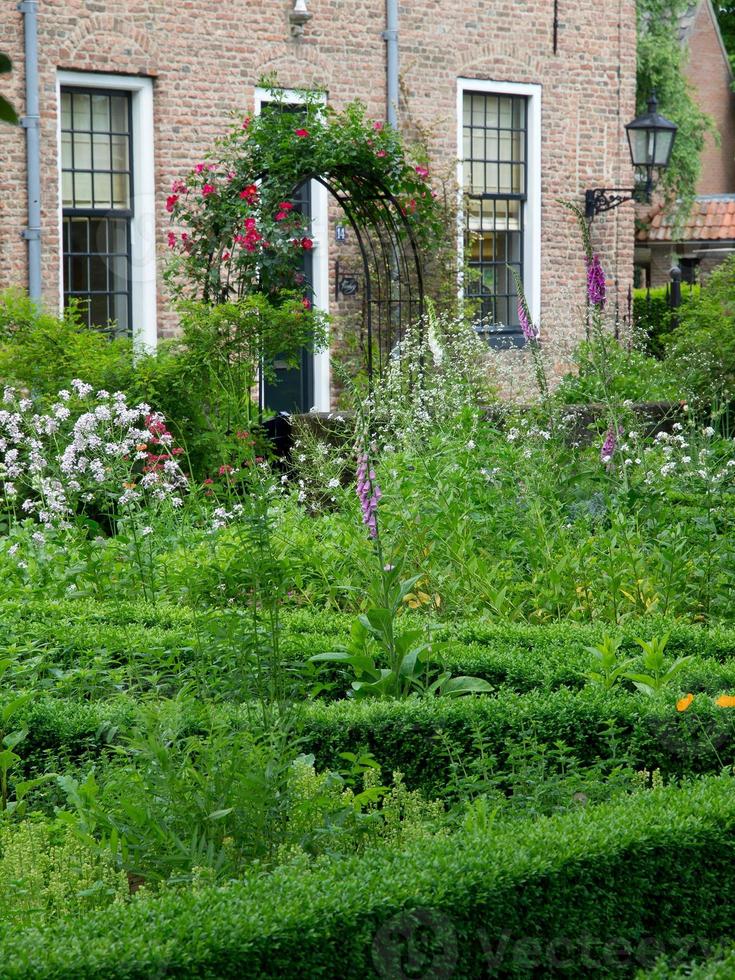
pixel 651 140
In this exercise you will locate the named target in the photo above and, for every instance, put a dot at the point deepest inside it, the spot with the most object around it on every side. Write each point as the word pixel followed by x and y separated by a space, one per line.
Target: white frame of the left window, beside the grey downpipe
pixel 143 223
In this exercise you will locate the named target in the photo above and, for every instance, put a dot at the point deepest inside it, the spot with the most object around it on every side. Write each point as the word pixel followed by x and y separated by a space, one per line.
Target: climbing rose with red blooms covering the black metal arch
pixel 236 227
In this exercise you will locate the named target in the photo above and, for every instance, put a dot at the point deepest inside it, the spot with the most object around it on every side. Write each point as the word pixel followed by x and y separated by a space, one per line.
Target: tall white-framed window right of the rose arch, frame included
pixel 499 175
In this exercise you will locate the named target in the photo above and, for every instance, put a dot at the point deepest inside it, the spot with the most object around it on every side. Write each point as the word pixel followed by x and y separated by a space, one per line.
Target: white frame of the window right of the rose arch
pixel 532 207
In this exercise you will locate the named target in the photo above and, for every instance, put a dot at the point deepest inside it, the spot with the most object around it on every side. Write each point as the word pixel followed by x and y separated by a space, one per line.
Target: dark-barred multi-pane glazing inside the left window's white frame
pixel 97 195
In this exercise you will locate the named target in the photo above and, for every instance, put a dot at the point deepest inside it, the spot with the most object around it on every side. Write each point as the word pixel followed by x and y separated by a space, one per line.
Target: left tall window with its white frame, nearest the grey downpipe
pixel 107 201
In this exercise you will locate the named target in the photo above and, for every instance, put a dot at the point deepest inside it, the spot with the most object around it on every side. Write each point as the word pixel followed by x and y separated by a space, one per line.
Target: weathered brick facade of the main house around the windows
pixel 206 58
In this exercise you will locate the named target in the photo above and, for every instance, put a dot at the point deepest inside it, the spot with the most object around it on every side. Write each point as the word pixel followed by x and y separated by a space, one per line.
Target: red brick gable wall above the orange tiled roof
pixel 709 73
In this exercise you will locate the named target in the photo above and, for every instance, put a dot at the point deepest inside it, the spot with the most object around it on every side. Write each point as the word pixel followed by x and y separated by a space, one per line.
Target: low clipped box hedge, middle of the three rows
pixel 648 732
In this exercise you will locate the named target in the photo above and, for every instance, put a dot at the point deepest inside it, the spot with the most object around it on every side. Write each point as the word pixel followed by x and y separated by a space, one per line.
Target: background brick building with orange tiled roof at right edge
pixel 708 235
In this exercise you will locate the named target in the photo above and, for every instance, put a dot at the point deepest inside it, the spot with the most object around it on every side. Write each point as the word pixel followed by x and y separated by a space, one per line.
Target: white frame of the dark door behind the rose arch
pixel 320 251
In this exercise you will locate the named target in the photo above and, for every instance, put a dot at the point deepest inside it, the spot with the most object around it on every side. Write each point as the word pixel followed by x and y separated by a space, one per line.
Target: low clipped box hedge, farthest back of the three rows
pixel 519 656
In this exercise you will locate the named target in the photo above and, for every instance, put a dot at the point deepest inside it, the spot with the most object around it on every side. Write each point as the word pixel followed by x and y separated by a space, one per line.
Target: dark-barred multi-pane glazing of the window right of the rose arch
pixel 495 152
